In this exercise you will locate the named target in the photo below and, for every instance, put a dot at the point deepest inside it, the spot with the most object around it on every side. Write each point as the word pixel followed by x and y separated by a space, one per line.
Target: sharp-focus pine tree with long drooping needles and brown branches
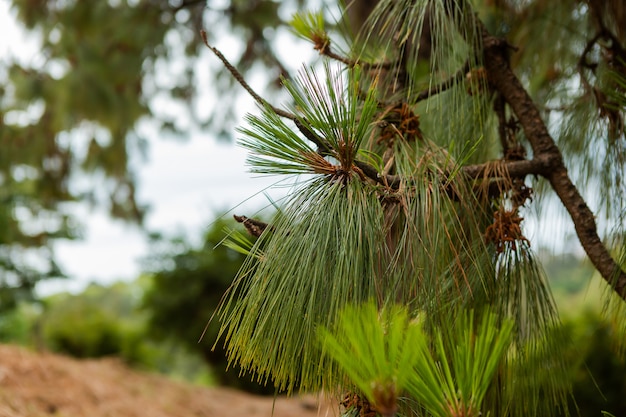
pixel 396 274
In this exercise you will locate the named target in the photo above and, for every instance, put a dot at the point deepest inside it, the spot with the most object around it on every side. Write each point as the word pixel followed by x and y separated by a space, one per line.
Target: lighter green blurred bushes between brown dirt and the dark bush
pixel 107 321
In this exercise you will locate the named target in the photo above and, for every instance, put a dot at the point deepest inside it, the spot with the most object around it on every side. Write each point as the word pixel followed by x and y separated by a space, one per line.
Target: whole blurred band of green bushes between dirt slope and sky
pixel 156 322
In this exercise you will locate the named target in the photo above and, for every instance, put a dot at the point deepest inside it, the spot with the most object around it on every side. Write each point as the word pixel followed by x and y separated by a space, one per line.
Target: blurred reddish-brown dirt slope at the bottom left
pixel 44 384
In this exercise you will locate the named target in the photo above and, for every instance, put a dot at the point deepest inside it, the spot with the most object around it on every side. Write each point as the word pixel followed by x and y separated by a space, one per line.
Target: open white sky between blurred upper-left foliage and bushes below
pixel 187 185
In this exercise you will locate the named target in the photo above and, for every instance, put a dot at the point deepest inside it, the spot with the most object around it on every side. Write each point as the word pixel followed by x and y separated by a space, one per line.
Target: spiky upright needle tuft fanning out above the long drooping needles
pixel 332 109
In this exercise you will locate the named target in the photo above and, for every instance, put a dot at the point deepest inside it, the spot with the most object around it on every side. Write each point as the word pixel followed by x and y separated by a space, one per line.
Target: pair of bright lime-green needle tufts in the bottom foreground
pixel 386 355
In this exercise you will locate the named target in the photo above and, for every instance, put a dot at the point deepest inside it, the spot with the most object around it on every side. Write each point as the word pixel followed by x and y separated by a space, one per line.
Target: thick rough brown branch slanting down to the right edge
pixel 549 157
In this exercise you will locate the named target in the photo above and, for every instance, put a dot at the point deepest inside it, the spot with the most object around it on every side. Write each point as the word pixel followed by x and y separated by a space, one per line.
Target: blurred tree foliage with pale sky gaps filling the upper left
pixel 70 115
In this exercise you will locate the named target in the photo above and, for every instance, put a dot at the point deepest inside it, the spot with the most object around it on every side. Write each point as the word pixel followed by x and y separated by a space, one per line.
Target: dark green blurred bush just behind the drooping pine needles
pixel 186 287
